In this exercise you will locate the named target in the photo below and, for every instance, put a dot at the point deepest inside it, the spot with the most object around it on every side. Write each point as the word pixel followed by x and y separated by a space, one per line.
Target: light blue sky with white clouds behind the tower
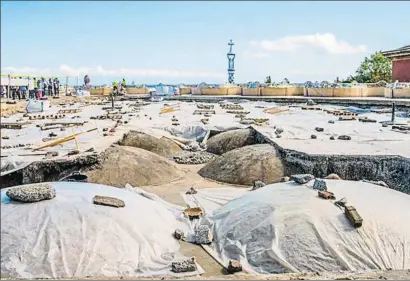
pixel 186 42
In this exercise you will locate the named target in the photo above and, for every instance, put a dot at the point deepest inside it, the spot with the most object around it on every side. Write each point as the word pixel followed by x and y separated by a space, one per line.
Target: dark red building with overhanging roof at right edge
pixel 401 63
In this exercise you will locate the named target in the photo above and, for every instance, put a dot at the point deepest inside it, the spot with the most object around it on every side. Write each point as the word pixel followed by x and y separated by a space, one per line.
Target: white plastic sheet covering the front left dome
pixel 70 237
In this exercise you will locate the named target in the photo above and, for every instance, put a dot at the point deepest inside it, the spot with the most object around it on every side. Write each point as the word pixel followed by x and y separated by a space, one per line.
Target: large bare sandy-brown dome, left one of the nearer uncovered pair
pixel 138 167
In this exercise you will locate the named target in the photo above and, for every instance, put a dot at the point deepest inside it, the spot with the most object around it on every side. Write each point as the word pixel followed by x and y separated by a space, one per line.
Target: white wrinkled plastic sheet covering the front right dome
pixel 286 227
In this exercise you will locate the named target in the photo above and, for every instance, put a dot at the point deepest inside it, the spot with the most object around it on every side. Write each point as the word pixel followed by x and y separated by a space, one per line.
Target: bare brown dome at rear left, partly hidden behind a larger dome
pixel 161 146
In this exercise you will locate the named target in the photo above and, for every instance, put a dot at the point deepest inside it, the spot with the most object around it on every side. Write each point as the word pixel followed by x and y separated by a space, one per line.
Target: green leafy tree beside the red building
pixel 374 69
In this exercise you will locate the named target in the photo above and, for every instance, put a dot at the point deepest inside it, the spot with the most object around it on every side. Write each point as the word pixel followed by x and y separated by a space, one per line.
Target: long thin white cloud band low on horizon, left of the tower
pixel 100 71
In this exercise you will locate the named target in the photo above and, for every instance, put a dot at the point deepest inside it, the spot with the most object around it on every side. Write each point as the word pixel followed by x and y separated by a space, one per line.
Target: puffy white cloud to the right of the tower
pixel 325 41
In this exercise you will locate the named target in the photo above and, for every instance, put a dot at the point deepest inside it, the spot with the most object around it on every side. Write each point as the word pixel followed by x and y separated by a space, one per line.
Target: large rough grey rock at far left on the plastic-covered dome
pixel 31 193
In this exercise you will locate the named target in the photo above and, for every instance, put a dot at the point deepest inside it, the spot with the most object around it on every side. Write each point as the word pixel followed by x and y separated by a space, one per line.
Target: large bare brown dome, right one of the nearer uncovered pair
pixel 245 165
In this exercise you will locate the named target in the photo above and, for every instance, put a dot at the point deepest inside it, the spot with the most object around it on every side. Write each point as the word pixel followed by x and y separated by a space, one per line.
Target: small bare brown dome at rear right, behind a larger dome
pixel 230 140
